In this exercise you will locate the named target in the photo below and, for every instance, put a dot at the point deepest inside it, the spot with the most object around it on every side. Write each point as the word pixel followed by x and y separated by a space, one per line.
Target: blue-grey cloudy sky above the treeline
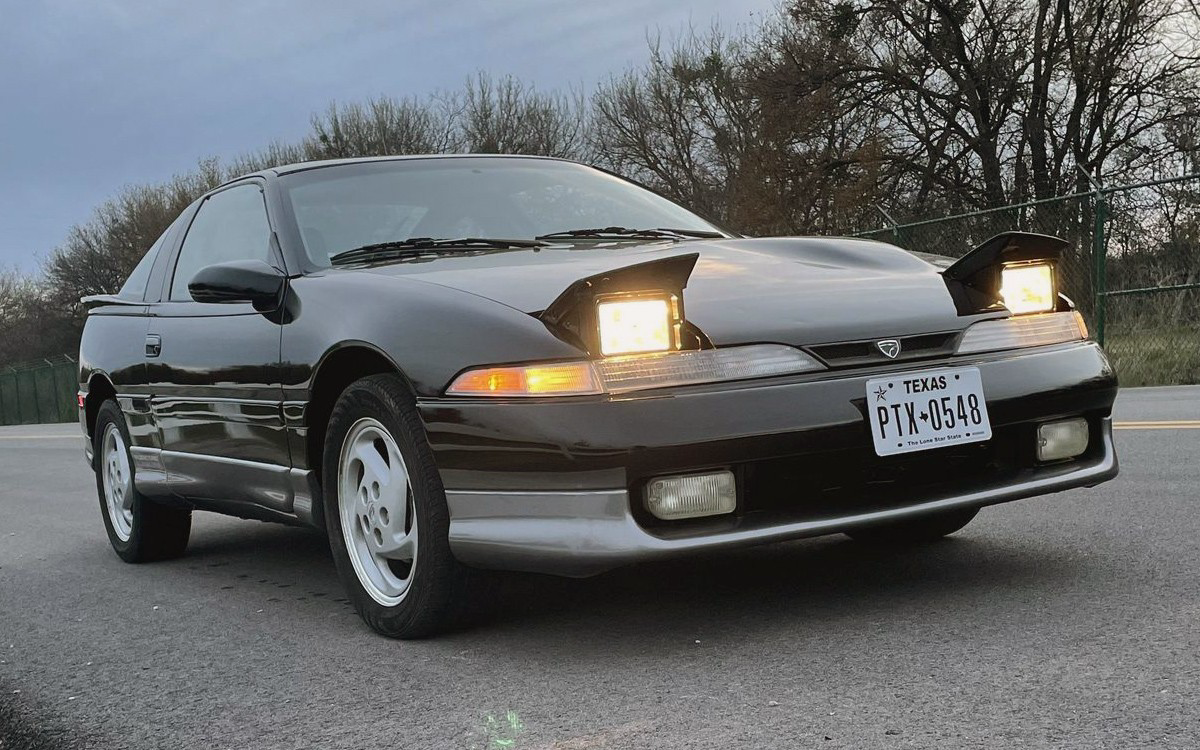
pixel 99 94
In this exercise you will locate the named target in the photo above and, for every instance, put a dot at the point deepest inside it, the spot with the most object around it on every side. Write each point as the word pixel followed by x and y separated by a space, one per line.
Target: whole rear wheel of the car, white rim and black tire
pixel 139 529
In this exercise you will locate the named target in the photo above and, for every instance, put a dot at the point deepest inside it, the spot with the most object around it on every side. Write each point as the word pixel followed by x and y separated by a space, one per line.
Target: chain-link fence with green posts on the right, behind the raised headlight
pixel 1133 268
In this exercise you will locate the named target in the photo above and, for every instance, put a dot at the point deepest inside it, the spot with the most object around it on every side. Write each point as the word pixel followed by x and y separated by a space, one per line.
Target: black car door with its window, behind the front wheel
pixel 214 369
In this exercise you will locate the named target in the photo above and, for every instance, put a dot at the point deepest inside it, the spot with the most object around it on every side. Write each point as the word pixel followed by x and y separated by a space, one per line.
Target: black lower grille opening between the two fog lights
pixel 839 483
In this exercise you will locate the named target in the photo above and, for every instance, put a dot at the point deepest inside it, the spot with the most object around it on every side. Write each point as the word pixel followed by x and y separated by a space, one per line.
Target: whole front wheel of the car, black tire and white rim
pixel 387 513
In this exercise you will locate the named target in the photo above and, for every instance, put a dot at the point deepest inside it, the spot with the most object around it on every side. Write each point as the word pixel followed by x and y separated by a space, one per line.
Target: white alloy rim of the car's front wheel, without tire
pixel 377 513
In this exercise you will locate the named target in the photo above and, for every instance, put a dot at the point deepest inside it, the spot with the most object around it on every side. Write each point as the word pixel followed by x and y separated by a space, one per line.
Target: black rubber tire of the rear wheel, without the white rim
pixel 158 532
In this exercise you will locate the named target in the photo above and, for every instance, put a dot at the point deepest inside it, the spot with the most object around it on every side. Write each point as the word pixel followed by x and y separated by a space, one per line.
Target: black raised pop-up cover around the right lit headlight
pixel 974 280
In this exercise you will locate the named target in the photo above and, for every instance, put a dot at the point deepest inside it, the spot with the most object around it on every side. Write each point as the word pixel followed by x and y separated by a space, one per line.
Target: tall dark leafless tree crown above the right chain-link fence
pixel 999 101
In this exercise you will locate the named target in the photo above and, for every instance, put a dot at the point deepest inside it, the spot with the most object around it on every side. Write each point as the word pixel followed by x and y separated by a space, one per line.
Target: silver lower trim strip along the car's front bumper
pixel 587 533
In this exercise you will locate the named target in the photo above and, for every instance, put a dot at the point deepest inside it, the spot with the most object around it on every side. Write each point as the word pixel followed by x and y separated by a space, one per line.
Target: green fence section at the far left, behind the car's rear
pixel 40 392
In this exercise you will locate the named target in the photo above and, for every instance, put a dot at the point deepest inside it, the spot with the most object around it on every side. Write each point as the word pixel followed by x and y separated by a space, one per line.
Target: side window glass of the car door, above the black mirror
pixel 231 226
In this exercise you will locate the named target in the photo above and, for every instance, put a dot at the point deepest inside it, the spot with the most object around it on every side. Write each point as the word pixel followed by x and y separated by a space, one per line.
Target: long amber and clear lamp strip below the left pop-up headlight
pixel 617 375
